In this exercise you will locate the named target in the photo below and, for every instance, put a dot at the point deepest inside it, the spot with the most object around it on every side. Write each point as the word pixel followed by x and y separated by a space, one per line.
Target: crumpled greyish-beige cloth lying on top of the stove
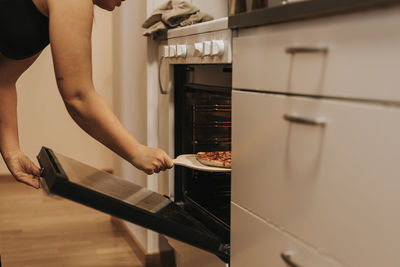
pixel 172 14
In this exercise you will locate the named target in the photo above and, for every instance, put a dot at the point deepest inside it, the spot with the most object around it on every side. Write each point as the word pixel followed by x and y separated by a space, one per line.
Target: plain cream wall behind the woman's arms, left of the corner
pixel 43 119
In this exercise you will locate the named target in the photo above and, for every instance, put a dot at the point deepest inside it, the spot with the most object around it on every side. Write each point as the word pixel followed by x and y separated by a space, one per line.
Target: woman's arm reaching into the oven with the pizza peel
pixel 70 37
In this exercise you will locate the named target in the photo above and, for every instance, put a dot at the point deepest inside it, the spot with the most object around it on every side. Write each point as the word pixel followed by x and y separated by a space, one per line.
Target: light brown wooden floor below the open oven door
pixel 36 230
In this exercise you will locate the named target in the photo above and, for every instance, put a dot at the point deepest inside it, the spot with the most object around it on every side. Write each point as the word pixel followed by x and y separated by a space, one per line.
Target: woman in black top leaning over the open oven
pixel 26 28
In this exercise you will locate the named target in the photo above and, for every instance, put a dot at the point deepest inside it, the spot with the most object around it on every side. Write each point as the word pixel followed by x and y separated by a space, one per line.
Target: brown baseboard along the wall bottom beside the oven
pixel 162 259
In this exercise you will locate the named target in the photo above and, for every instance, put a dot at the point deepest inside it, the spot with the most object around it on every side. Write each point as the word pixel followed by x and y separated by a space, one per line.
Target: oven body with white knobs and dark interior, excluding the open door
pixel 195 86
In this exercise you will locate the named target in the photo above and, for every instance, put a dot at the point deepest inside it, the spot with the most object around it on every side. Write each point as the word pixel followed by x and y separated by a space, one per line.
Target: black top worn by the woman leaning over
pixel 24 31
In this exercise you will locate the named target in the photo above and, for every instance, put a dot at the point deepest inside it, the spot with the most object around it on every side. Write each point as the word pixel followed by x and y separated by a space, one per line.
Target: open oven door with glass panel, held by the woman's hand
pixel 120 198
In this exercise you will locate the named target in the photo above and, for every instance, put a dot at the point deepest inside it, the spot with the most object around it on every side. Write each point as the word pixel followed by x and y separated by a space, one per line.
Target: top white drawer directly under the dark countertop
pixel 355 55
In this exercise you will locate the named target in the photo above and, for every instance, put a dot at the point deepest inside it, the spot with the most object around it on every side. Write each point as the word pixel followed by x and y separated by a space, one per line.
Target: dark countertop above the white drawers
pixel 303 10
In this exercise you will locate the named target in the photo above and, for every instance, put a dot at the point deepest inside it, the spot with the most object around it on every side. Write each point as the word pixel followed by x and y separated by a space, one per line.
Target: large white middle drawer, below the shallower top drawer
pixel 334 185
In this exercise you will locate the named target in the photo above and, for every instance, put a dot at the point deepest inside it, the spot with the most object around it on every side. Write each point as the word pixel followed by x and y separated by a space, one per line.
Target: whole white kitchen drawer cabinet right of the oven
pixel 319 153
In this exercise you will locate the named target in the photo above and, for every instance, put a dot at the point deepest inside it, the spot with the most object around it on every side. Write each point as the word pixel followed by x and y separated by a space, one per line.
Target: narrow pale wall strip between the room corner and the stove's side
pixel 130 99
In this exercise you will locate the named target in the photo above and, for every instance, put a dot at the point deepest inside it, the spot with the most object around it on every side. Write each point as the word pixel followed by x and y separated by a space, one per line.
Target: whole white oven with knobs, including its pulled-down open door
pixel 198 92
